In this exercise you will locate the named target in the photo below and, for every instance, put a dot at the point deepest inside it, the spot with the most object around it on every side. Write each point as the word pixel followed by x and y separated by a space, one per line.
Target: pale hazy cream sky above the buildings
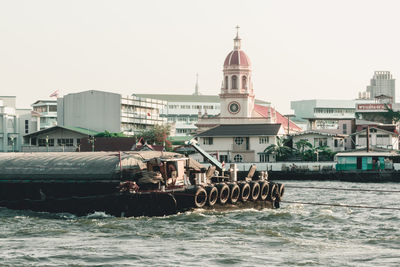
pixel 308 49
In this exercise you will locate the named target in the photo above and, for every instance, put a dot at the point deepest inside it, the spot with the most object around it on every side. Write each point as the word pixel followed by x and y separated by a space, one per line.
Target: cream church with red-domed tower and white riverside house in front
pixel 243 130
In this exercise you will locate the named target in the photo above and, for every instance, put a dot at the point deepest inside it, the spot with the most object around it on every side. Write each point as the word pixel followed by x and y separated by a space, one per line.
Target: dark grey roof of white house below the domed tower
pixel 232 130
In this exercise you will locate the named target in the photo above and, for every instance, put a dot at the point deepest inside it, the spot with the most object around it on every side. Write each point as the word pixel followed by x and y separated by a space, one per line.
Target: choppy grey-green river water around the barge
pixel 294 235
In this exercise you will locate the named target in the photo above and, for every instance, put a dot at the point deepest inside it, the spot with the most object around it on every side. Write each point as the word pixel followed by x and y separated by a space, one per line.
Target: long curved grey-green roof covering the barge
pixel 72 166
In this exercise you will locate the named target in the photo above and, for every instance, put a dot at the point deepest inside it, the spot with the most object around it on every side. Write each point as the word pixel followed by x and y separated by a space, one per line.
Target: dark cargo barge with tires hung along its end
pixel 146 183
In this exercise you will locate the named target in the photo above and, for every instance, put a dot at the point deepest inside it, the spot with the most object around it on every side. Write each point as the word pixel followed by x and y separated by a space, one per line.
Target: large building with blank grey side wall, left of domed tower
pixel 100 111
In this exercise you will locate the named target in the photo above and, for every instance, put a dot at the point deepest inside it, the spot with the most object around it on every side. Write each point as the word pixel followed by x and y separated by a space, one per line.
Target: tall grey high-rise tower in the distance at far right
pixel 382 85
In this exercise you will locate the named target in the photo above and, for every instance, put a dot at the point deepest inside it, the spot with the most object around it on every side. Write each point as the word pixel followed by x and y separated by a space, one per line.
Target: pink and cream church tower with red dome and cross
pixel 237 97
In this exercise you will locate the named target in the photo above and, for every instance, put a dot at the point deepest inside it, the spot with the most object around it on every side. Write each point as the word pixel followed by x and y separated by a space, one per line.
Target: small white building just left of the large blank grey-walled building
pixel 47 111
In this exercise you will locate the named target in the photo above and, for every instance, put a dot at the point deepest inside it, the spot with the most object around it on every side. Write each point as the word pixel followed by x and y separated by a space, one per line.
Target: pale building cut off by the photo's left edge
pixel 14 123
